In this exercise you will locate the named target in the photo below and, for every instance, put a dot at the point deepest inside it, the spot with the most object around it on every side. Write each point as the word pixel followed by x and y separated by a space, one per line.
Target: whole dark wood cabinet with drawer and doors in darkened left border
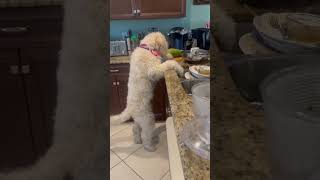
pixel 29 45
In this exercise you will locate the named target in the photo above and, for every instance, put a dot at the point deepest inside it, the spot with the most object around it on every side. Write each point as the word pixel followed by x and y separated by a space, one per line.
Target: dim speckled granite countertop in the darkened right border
pixel 238 131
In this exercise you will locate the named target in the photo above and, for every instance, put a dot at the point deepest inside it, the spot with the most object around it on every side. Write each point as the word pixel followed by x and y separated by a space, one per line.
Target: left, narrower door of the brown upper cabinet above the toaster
pixel 122 9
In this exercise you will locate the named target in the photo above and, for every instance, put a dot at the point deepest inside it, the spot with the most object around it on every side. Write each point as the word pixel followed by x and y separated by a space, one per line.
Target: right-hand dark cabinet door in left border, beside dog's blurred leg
pixel 40 74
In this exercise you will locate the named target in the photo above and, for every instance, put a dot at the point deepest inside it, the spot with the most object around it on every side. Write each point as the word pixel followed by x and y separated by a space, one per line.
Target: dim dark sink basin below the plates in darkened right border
pixel 248 72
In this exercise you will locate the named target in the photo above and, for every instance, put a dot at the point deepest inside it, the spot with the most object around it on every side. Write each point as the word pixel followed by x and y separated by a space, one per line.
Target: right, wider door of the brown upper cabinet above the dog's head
pixel 161 9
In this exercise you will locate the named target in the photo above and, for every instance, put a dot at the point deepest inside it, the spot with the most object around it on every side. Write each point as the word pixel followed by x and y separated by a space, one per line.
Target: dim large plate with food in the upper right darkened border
pixel 288 32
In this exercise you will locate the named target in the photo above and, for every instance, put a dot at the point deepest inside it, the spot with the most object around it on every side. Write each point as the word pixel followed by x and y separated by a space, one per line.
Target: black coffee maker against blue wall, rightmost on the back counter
pixel 202 35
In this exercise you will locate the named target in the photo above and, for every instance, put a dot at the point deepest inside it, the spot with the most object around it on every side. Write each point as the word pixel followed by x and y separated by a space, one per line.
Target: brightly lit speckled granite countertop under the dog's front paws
pixel 194 167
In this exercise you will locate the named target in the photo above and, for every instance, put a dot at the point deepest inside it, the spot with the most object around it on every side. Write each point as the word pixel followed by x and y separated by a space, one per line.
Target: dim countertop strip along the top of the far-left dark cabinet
pixel 29 3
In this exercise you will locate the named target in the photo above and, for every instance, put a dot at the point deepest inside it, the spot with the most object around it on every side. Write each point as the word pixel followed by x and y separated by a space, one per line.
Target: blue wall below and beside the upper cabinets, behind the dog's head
pixel 196 16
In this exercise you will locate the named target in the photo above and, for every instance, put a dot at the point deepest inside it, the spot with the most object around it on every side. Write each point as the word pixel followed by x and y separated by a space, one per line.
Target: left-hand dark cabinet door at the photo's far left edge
pixel 15 130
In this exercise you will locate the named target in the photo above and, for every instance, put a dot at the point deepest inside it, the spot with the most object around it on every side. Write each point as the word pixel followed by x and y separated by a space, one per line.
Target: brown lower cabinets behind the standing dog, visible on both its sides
pixel 119 74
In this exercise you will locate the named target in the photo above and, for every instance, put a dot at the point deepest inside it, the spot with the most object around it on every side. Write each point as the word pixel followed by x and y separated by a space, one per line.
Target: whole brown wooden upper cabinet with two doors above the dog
pixel 147 9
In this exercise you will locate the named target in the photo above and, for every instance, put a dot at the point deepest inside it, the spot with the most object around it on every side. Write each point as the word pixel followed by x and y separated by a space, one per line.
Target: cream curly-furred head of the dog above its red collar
pixel 157 41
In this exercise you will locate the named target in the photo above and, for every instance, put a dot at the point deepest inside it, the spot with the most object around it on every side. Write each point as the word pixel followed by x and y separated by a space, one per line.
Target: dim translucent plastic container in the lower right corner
pixel 292 108
